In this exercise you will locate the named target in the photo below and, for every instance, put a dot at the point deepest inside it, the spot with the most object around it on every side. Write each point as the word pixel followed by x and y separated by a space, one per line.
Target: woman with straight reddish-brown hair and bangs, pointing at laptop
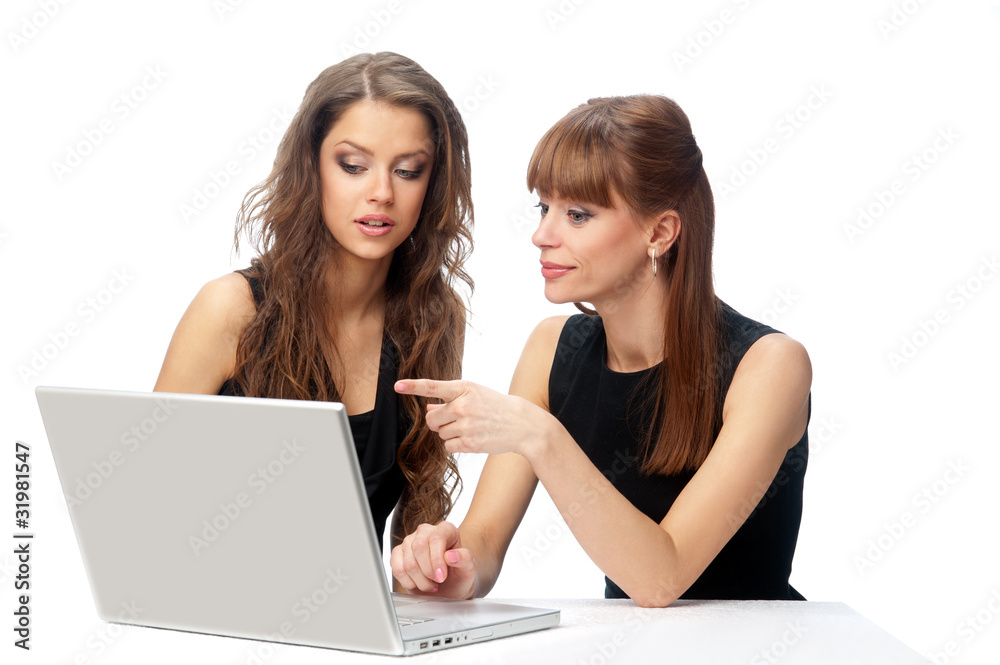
pixel 668 429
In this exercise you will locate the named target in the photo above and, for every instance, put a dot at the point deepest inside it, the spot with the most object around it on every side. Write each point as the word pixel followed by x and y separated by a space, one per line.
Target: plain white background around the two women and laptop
pixel 789 249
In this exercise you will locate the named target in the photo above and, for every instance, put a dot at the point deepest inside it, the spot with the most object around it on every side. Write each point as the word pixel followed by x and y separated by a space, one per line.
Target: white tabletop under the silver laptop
pixel 593 632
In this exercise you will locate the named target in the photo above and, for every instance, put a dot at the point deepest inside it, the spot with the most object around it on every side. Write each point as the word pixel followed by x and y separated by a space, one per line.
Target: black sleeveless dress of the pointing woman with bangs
pixel 605 413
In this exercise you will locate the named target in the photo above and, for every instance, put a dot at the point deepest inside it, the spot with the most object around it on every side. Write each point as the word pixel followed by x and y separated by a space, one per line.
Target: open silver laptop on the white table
pixel 242 517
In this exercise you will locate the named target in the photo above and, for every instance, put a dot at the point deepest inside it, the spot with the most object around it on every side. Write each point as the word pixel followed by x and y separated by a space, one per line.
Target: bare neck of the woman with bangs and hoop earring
pixel 633 326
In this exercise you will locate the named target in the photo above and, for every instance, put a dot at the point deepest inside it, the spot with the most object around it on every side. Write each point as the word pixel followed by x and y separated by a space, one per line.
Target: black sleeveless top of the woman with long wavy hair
pixel 377 433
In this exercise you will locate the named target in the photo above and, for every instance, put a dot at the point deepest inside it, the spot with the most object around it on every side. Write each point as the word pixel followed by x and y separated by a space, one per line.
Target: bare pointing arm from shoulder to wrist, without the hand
pixel 764 415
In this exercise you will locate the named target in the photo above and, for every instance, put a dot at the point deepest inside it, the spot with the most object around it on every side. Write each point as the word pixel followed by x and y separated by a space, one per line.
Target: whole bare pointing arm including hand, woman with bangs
pixel 764 415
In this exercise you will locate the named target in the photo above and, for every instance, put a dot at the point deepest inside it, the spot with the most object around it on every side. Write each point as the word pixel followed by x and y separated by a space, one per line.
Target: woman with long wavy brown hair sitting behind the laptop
pixel 362 230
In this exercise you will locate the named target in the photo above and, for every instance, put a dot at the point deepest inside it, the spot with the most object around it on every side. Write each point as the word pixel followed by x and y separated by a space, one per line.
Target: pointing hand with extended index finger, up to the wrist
pixel 475 419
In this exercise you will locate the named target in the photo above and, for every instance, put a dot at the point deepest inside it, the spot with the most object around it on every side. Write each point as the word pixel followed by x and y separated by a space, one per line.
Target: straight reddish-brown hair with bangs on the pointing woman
pixel 641 147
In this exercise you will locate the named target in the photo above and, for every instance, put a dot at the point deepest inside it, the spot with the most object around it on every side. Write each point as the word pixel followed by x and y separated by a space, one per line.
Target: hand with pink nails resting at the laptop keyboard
pixel 432 561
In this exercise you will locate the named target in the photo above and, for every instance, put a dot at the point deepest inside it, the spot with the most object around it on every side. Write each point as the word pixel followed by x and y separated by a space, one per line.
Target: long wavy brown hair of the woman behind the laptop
pixel 281 352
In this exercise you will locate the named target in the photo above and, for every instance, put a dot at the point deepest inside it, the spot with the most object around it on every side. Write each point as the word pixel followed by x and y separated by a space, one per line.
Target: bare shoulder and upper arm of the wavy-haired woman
pixel 202 351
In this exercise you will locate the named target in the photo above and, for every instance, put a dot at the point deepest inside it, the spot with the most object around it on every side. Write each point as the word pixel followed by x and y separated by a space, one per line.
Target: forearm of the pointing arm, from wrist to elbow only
pixel 630 548
